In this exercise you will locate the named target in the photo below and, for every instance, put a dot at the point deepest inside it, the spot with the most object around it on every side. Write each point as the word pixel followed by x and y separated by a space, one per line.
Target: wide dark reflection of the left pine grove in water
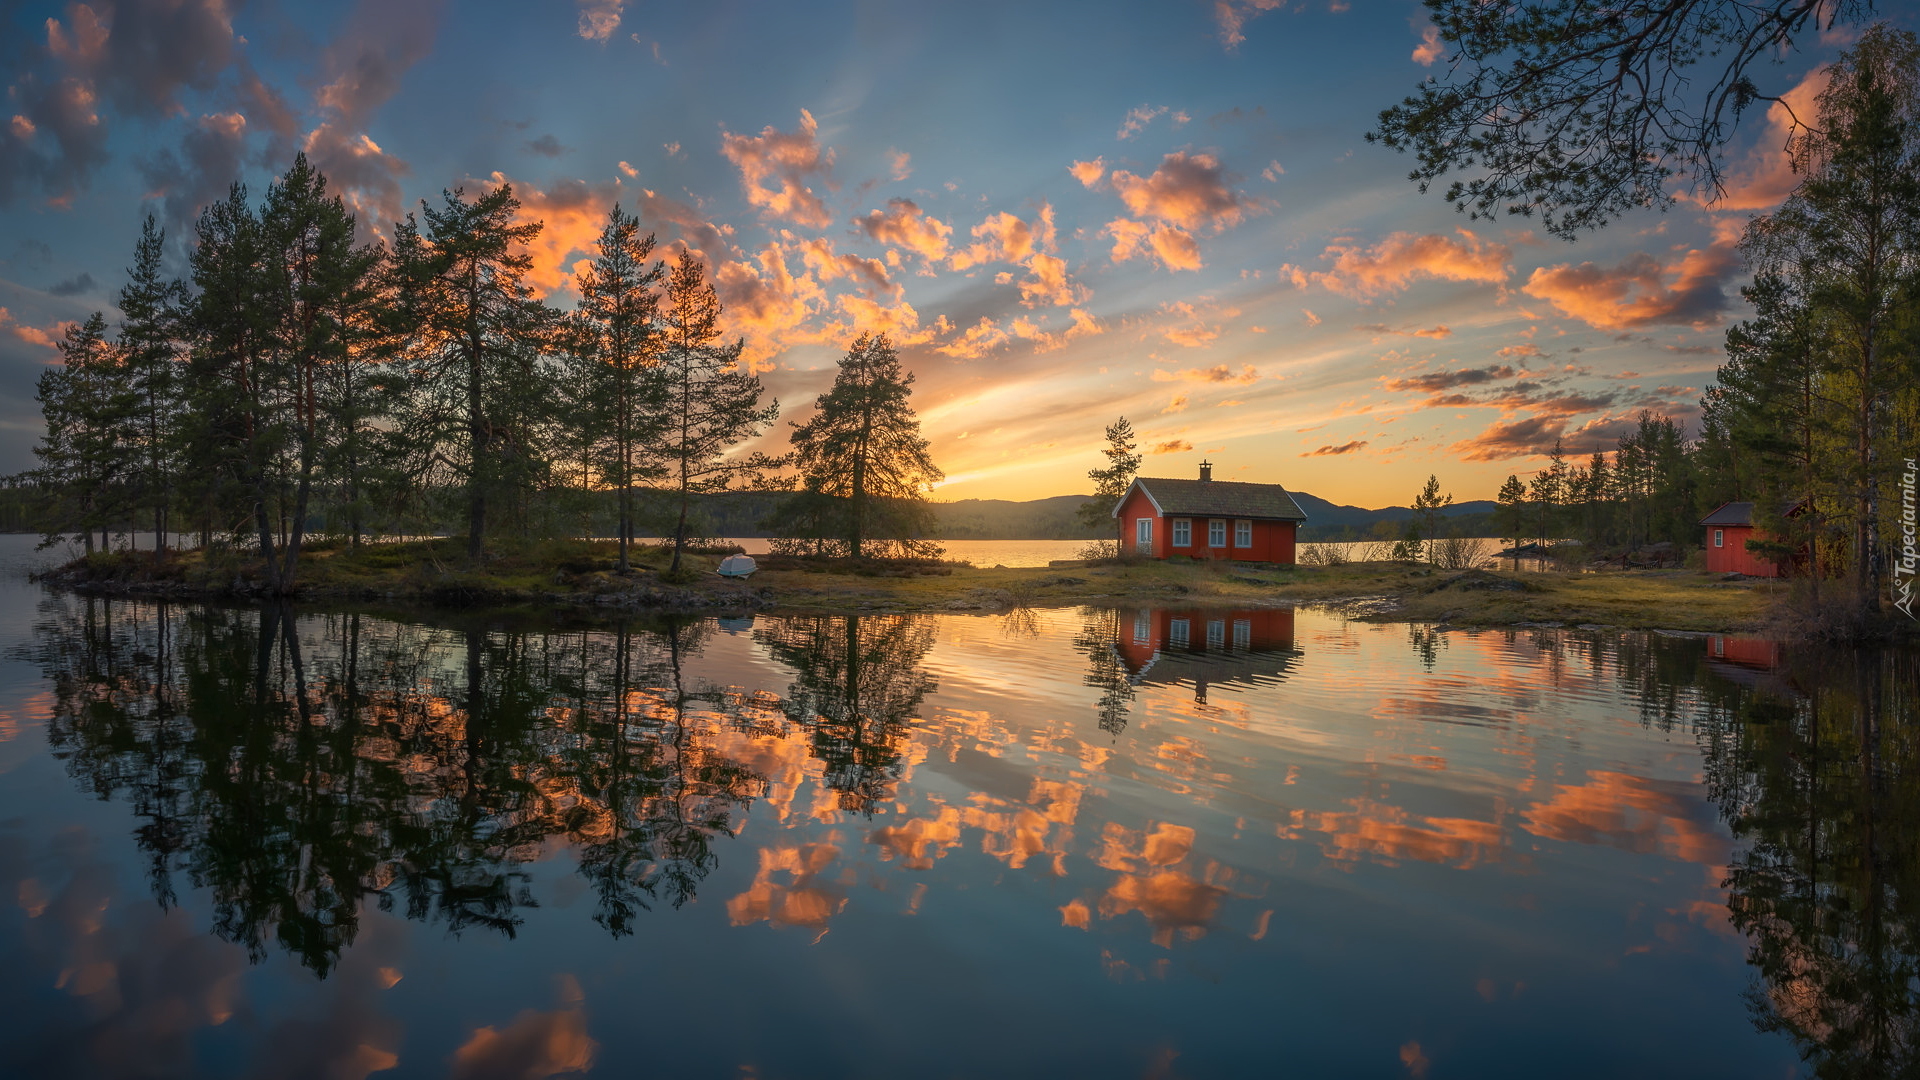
pixel 299 775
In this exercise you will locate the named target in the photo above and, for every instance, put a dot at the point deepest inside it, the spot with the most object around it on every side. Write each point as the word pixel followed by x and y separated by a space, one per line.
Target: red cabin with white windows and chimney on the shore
pixel 1209 520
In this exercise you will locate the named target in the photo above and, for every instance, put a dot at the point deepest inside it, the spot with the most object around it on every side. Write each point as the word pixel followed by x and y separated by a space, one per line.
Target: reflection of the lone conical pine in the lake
pixel 857 689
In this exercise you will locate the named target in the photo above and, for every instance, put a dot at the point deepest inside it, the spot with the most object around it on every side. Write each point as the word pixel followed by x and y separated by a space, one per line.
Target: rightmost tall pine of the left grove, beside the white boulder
pixel 708 403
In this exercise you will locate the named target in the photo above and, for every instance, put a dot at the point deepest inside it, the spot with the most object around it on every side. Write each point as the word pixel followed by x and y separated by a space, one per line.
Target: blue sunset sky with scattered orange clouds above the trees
pixel 1061 212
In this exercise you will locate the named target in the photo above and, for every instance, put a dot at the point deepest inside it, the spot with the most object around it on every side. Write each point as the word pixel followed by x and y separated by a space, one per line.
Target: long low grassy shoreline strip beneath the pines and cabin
pixel 577 576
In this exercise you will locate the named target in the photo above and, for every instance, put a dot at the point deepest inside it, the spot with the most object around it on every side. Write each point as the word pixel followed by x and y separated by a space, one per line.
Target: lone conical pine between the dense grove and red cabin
pixel 863 462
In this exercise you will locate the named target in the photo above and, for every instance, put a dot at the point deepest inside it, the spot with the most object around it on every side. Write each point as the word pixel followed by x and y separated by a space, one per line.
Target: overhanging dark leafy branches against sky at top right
pixel 1577 112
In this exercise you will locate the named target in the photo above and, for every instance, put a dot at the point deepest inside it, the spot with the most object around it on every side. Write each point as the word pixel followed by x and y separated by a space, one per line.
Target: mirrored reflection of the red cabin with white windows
pixel 1164 647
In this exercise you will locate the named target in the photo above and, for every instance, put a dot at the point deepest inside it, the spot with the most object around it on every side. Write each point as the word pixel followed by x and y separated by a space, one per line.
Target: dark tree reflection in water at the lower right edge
pixel 1821 779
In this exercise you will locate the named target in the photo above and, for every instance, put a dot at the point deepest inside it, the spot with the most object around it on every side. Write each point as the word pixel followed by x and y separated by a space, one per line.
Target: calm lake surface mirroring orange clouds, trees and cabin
pixel 1076 843
